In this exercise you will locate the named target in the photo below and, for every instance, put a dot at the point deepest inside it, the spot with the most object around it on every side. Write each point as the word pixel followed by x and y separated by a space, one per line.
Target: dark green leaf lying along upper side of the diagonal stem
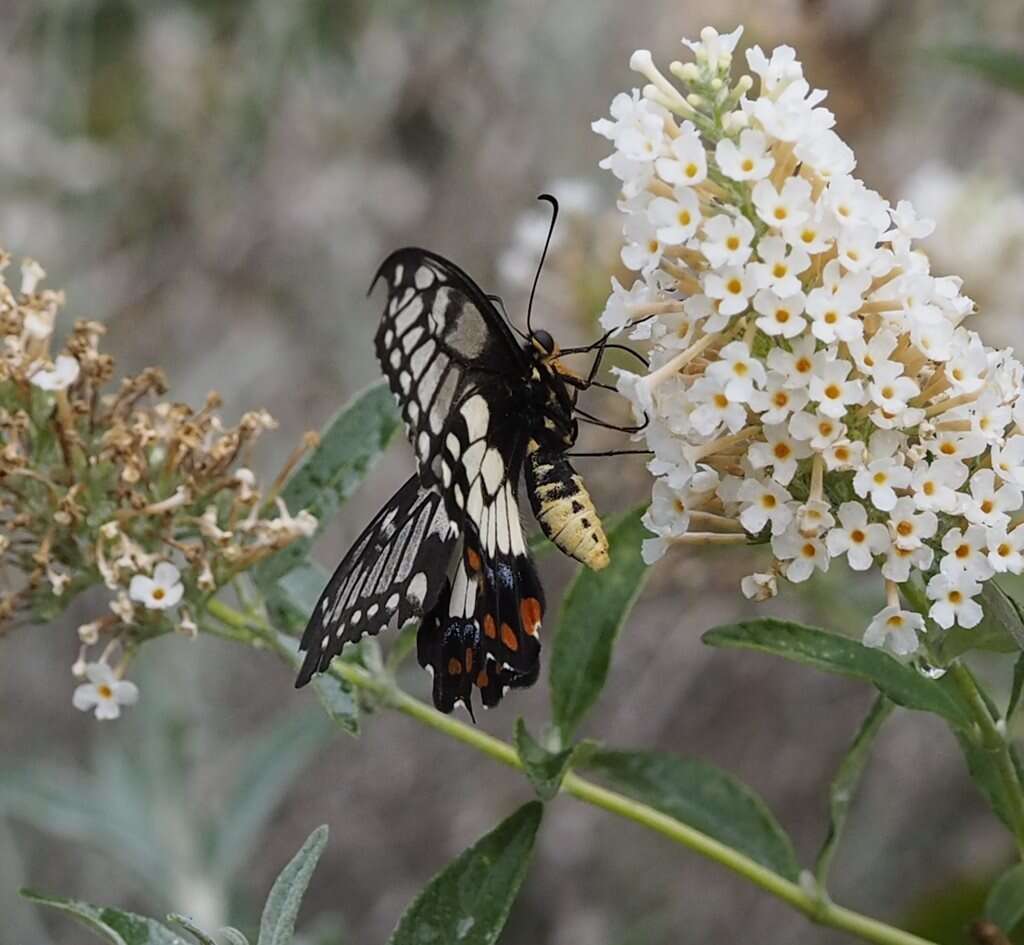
pixel 703 797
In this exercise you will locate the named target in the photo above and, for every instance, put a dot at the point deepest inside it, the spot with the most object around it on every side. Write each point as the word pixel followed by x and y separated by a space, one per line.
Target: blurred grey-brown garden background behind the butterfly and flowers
pixel 217 181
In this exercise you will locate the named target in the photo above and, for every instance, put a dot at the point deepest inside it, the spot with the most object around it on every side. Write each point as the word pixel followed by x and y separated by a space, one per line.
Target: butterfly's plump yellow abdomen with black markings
pixel 564 507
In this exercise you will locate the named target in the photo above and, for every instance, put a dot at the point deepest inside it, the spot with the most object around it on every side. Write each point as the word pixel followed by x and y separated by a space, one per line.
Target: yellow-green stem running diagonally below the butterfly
pixel 808 900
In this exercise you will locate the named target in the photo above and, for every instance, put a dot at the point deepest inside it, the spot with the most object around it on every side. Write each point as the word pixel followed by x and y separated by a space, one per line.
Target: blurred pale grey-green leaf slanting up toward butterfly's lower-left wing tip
pixel 273 761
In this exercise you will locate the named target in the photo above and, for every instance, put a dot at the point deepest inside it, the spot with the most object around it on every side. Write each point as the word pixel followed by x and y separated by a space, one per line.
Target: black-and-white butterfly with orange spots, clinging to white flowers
pixel 482 410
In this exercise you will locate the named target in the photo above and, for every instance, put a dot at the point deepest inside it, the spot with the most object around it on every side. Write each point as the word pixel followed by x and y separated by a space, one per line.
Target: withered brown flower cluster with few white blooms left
pixel 105 484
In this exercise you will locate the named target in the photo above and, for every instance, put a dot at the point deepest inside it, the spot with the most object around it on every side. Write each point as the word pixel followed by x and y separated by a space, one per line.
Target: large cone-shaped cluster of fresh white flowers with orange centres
pixel 813 384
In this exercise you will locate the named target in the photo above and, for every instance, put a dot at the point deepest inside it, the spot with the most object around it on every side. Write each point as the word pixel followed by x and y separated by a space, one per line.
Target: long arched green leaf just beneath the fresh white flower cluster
pixel 815 648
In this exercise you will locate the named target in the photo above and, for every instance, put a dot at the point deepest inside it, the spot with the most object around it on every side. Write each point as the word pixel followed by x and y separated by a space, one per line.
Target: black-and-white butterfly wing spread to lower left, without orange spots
pixel 397 568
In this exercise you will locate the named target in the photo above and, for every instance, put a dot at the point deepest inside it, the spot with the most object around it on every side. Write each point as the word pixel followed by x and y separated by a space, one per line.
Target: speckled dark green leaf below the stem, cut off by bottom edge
pixel 470 901
